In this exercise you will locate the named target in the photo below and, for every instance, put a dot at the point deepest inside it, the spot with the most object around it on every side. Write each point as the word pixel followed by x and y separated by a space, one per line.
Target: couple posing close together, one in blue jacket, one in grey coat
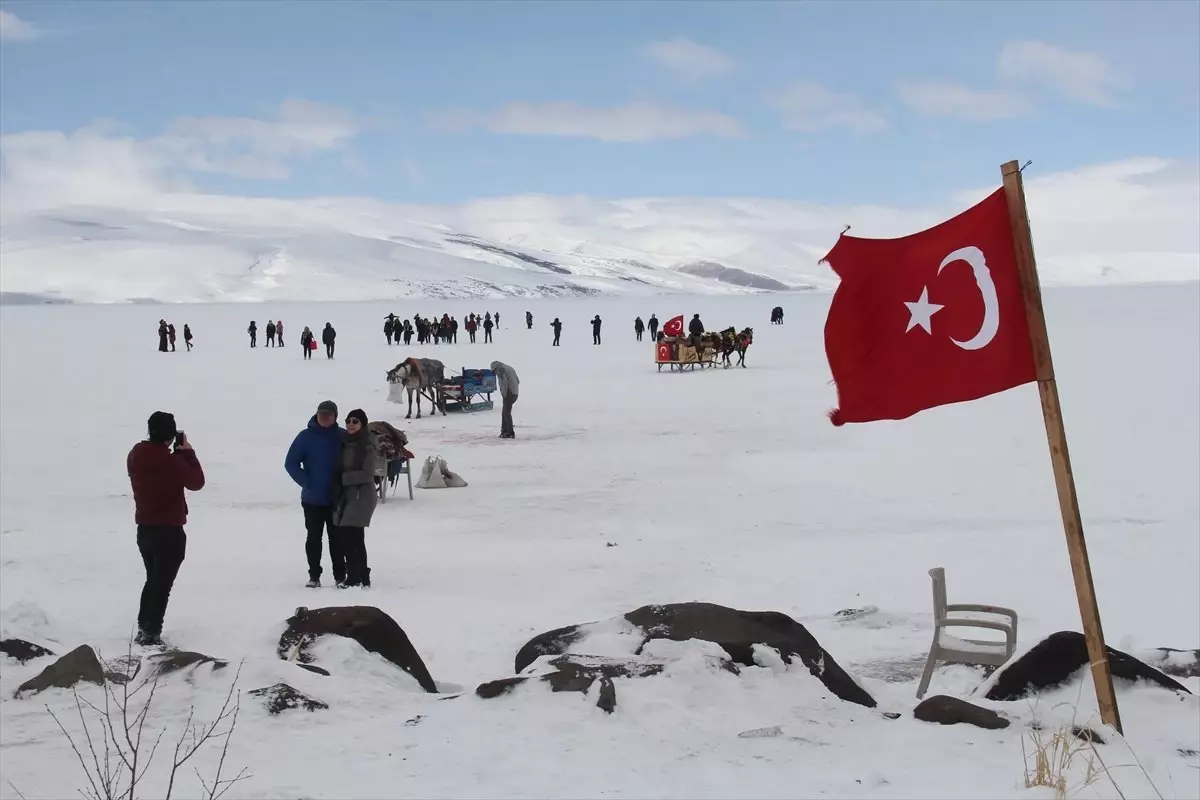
pixel 335 470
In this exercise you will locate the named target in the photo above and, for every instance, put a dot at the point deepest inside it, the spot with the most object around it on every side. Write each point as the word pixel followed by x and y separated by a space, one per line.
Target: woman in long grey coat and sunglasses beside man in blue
pixel 356 491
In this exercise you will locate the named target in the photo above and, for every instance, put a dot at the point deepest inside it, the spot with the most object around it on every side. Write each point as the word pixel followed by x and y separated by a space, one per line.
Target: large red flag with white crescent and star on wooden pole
pixel 928 320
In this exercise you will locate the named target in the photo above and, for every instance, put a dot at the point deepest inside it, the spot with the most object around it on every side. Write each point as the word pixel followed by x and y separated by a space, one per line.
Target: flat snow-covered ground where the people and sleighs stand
pixel 625 488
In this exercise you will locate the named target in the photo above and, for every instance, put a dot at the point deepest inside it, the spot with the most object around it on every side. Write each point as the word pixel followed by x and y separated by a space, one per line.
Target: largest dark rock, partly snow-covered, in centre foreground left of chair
pixel 736 631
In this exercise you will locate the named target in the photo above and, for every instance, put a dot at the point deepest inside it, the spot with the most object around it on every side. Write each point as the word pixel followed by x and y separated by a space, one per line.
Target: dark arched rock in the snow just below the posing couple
pixel 375 630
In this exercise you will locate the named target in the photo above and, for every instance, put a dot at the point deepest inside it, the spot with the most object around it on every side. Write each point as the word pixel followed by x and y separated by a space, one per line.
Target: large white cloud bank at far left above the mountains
pixel 97 163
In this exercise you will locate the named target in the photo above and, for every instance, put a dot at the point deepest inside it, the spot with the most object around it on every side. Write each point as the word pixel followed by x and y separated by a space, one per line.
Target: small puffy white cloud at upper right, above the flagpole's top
pixel 1079 76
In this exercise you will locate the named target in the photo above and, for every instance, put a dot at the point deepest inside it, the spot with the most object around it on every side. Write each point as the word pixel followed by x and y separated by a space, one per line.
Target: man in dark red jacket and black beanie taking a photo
pixel 159 478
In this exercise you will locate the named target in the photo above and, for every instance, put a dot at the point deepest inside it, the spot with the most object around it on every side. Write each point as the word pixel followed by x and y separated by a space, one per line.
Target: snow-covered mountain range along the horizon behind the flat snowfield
pixel 1133 222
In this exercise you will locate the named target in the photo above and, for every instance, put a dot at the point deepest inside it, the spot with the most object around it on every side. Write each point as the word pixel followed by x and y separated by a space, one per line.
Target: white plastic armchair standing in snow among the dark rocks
pixel 952 649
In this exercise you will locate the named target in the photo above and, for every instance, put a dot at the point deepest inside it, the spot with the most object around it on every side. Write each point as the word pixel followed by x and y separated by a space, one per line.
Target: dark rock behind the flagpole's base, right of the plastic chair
pixel 1055 660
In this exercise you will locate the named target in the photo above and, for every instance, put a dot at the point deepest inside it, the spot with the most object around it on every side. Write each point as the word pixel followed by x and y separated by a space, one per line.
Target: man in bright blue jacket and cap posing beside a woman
pixel 313 464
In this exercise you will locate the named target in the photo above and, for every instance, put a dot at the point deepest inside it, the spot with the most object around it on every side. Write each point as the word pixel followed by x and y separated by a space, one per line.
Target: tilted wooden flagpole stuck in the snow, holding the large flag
pixel 1057 437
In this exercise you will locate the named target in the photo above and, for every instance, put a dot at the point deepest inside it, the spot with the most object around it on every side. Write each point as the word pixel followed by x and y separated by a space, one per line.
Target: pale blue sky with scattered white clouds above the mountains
pixel 442 103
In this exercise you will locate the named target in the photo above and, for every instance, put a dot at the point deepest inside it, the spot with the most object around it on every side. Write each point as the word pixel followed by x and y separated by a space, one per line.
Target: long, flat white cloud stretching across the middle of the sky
pixel 638 122
